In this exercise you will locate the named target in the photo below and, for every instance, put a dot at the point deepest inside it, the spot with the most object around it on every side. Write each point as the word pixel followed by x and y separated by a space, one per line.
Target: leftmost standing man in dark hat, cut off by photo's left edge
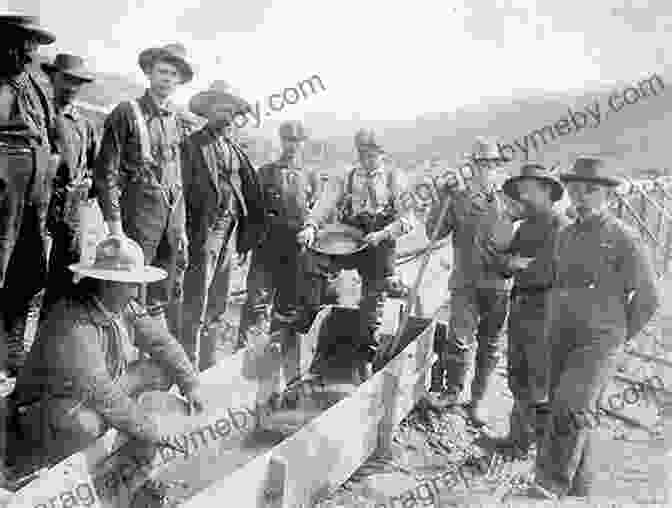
pixel 26 170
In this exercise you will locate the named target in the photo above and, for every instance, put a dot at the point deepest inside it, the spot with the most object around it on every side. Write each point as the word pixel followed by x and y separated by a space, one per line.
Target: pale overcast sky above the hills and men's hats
pixel 381 59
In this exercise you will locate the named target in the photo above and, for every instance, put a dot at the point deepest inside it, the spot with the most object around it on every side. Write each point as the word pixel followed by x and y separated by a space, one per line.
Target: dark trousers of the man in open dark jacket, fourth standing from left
pixel 208 270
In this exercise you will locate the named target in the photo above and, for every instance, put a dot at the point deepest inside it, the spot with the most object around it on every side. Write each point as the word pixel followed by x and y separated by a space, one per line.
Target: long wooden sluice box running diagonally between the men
pixel 244 451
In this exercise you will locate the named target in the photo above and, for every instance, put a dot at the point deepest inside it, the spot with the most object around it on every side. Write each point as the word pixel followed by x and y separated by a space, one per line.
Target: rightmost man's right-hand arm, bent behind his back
pixel 640 285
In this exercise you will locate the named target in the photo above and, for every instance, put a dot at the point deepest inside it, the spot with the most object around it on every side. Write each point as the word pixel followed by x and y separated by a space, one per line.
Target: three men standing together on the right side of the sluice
pixel 574 290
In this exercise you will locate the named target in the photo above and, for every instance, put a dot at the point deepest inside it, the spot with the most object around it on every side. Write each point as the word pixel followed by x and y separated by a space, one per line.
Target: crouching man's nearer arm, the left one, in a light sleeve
pixel 87 370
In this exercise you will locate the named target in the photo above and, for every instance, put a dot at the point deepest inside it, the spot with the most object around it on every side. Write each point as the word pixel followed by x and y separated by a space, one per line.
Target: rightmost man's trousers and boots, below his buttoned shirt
pixel 587 332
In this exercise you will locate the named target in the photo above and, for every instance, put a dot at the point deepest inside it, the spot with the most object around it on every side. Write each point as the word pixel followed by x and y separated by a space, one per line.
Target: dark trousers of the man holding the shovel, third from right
pixel 477 318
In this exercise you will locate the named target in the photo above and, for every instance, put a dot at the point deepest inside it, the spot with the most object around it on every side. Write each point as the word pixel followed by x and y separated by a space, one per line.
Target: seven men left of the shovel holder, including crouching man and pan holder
pixel 179 204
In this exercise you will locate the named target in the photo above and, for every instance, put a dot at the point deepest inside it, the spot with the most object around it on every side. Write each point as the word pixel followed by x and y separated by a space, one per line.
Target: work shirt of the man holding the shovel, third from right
pixel 481 220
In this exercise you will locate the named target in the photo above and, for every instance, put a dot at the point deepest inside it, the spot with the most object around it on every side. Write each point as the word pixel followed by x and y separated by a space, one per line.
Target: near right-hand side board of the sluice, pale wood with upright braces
pixel 326 451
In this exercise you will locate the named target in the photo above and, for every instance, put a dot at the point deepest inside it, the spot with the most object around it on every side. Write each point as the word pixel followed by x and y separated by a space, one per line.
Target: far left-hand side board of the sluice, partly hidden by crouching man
pixel 244 380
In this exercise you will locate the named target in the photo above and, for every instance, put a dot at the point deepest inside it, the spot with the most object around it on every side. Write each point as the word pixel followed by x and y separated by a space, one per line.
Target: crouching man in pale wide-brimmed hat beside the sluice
pixel 86 367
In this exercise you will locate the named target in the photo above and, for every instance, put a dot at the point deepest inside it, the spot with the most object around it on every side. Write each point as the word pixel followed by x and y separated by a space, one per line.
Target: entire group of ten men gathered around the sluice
pixel 180 204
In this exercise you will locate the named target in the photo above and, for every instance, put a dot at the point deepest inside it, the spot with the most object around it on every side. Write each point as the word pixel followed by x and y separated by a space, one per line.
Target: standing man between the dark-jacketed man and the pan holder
pixel 277 273
